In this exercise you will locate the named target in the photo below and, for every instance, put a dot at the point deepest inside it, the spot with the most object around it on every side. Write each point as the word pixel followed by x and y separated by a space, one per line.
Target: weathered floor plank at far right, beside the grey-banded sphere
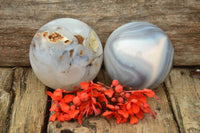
pixel 184 93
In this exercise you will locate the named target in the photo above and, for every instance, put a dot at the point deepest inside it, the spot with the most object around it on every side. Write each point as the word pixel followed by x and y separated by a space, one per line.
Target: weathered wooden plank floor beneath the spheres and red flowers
pixel 23 107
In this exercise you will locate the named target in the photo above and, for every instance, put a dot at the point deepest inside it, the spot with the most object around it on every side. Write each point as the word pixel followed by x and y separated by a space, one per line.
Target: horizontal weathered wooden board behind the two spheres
pixel 21 19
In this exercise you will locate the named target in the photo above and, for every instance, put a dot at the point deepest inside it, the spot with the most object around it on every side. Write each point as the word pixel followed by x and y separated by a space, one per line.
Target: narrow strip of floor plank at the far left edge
pixel 6 76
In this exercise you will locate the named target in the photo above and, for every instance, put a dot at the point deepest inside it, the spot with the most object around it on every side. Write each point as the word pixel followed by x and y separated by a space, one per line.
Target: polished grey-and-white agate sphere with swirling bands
pixel 138 54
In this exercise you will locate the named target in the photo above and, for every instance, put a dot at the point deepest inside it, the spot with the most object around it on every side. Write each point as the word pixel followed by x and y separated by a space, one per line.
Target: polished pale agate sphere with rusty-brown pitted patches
pixel 65 52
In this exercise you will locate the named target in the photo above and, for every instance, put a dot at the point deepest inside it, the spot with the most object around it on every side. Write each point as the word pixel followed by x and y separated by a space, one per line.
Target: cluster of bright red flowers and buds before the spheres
pixel 97 98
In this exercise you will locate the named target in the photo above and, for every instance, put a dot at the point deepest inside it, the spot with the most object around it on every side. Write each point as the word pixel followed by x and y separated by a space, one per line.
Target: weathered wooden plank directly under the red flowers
pixel 164 122
